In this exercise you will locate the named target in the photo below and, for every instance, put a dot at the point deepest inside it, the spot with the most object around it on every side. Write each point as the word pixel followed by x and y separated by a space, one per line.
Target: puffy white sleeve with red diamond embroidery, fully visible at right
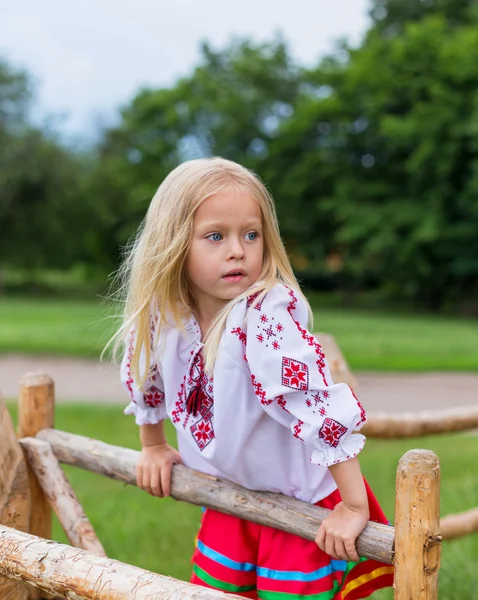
pixel 292 380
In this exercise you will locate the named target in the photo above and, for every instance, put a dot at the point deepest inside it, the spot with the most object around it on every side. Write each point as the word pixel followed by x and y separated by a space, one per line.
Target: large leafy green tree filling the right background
pixel 394 140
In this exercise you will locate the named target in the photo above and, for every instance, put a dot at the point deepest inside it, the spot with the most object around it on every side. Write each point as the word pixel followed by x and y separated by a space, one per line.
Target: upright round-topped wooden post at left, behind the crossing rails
pixel 36 408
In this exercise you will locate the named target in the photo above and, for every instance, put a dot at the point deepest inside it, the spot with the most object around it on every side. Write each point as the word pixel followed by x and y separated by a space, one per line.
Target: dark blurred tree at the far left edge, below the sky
pixel 43 216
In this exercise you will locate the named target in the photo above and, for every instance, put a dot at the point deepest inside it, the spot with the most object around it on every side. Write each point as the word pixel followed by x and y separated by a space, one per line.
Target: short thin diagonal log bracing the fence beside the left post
pixel 61 496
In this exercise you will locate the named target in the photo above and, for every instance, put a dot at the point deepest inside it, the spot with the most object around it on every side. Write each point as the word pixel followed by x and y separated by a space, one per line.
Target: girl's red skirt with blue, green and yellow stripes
pixel 236 556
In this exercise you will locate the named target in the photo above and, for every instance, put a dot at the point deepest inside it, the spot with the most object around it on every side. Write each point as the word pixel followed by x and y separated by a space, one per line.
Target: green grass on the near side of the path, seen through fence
pixel 158 534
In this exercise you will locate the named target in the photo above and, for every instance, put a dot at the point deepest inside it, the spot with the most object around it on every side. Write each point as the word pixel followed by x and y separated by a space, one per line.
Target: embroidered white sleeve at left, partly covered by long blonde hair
pixel 147 403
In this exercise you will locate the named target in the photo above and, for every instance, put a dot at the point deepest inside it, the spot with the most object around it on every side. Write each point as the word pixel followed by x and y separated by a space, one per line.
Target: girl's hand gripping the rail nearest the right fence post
pixel 338 532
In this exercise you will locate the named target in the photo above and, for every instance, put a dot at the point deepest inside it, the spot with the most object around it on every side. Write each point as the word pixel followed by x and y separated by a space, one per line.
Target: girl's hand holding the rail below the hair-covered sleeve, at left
pixel 153 472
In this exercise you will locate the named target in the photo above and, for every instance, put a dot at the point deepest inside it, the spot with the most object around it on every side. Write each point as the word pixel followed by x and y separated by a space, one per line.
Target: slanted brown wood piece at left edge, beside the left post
pixel 14 494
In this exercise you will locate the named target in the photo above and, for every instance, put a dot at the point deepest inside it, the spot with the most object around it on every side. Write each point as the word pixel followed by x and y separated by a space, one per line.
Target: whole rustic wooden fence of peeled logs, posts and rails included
pixel 29 490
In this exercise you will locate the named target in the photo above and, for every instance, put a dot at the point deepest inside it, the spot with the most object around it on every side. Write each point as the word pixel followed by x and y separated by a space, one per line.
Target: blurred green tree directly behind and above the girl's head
pixel 231 105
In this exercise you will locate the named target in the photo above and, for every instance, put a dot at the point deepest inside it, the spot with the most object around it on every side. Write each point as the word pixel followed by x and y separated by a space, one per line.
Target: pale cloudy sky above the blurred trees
pixel 89 58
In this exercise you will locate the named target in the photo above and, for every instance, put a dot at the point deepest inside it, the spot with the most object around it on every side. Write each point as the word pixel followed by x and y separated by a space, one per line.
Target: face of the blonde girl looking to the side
pixel 226 252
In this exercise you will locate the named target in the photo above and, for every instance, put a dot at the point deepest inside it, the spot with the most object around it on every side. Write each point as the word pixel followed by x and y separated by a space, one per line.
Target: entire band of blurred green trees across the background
pixel 371 156
